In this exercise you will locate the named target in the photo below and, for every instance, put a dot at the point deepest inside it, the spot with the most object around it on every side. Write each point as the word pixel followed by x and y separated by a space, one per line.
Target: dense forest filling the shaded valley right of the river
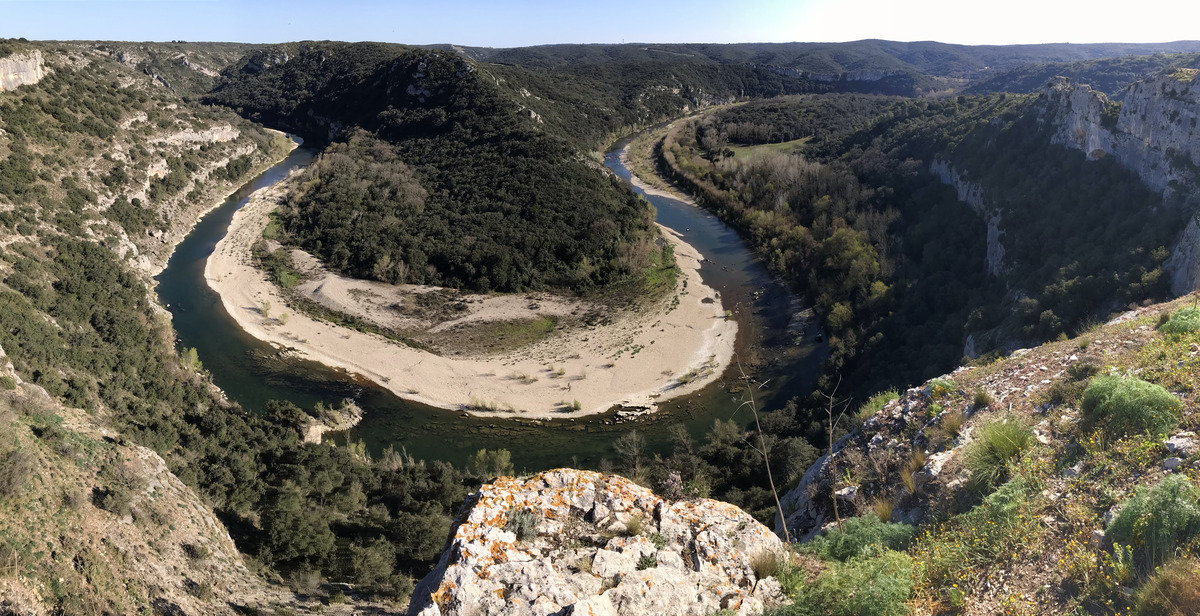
pixel 887 255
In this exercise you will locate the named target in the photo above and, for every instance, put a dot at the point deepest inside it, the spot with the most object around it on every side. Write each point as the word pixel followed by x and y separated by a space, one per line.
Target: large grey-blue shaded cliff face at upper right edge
pixel 1154 130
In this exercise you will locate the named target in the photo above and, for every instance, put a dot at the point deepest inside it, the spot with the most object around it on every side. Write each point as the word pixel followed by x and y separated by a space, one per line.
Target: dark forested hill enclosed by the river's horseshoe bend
pixel 445 178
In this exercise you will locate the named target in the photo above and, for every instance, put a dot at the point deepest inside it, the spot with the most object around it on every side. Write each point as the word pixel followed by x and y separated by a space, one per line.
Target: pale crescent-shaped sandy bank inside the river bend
pixel 640 360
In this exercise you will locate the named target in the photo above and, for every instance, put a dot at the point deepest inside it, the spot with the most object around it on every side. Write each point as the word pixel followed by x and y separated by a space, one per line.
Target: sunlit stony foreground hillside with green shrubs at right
pixel 1057 481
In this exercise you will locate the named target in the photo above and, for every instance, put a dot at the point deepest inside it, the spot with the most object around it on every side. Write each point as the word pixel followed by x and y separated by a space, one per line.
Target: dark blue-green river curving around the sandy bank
pixel 251 373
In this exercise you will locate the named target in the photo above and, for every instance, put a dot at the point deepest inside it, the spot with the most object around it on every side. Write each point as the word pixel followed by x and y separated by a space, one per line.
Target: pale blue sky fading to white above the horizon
pixel 514 23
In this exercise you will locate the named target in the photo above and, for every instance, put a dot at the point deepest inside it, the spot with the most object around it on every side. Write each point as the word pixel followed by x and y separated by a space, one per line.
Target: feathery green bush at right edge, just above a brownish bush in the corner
pixel 1160 521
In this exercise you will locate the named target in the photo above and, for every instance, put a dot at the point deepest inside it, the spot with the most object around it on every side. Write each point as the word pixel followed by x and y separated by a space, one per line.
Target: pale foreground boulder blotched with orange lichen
pixel 604 546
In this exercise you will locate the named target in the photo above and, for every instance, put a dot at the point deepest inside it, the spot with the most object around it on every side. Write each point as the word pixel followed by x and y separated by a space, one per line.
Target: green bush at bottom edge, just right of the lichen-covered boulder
pixel 878 587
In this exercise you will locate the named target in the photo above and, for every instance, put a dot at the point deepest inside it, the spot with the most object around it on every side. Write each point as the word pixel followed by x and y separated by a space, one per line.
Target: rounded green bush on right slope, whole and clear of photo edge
pixel 1130 405
